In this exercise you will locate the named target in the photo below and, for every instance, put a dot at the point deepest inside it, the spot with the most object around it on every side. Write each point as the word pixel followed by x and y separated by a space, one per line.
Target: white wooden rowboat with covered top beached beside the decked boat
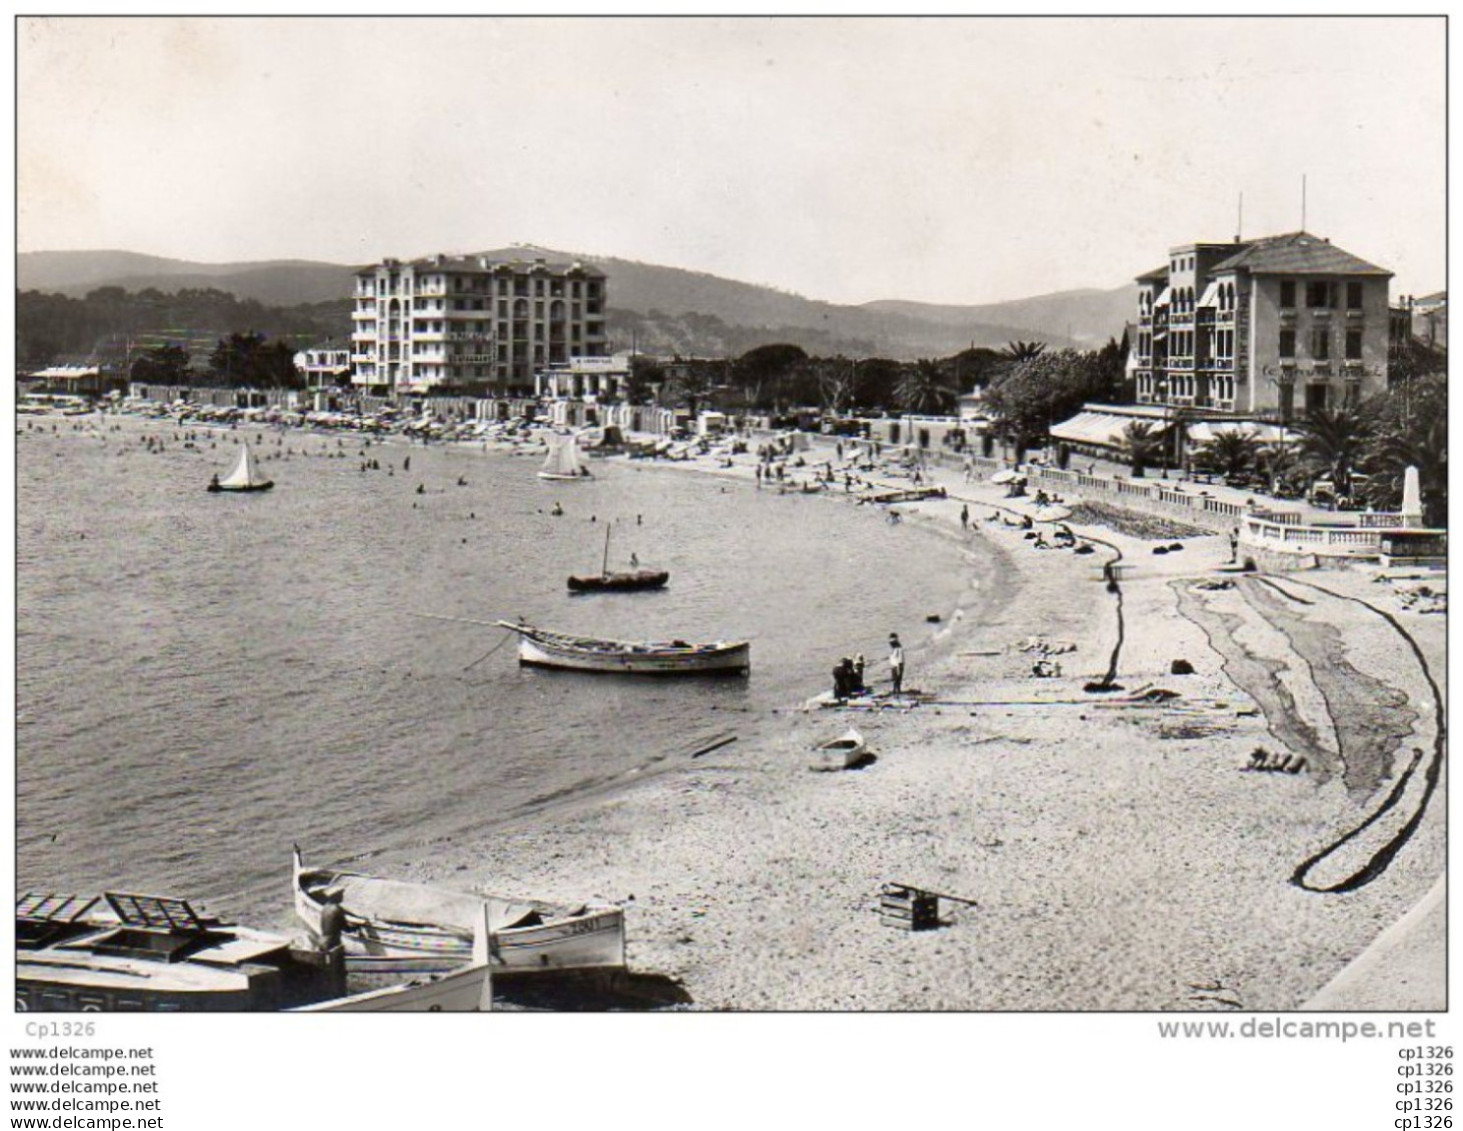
pixel 396 927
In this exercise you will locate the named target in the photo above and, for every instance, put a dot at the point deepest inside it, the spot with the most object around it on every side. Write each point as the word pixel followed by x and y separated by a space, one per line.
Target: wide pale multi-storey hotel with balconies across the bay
pixel 482 323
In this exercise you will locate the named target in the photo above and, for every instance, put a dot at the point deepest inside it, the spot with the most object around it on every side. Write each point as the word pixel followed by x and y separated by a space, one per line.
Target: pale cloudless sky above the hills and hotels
pixel 941 160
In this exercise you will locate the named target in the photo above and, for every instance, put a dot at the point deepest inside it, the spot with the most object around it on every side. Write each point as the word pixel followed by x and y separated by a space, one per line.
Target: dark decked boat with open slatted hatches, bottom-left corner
pixel 157 955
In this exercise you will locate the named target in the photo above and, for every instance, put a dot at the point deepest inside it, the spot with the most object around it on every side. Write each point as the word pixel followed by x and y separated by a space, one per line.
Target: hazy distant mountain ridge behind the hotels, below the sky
pixel 659 309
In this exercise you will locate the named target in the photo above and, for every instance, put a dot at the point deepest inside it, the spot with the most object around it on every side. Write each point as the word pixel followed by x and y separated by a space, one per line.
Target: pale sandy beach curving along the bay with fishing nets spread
pixel 1111 849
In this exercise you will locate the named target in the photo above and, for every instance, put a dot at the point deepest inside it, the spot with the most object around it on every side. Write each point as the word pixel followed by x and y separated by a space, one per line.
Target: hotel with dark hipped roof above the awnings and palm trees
pixel 1271 328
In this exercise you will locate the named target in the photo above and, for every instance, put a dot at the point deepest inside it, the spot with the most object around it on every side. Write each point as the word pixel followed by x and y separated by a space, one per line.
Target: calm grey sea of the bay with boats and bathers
pixel 204 680
